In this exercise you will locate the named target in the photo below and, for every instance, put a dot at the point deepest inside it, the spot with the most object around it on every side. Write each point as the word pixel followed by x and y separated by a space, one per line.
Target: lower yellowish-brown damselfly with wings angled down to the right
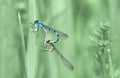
pixel 50 47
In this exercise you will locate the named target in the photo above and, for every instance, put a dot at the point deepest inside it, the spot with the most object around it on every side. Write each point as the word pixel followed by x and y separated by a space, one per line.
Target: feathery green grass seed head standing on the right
pixel 103 55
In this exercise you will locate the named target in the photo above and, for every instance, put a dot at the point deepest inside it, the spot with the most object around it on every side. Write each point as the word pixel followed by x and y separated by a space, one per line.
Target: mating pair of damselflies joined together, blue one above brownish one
pixel 49 44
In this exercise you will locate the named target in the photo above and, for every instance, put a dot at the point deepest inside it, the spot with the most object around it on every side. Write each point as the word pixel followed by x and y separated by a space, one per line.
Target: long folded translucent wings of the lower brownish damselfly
pixel 65 61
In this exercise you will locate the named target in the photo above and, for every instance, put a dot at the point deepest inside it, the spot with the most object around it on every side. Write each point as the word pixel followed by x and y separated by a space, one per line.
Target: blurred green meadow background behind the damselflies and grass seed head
pixel 21 53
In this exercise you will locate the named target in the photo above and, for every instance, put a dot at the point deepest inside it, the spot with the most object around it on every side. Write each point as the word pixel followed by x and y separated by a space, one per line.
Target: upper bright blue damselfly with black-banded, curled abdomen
pixel 38 25
